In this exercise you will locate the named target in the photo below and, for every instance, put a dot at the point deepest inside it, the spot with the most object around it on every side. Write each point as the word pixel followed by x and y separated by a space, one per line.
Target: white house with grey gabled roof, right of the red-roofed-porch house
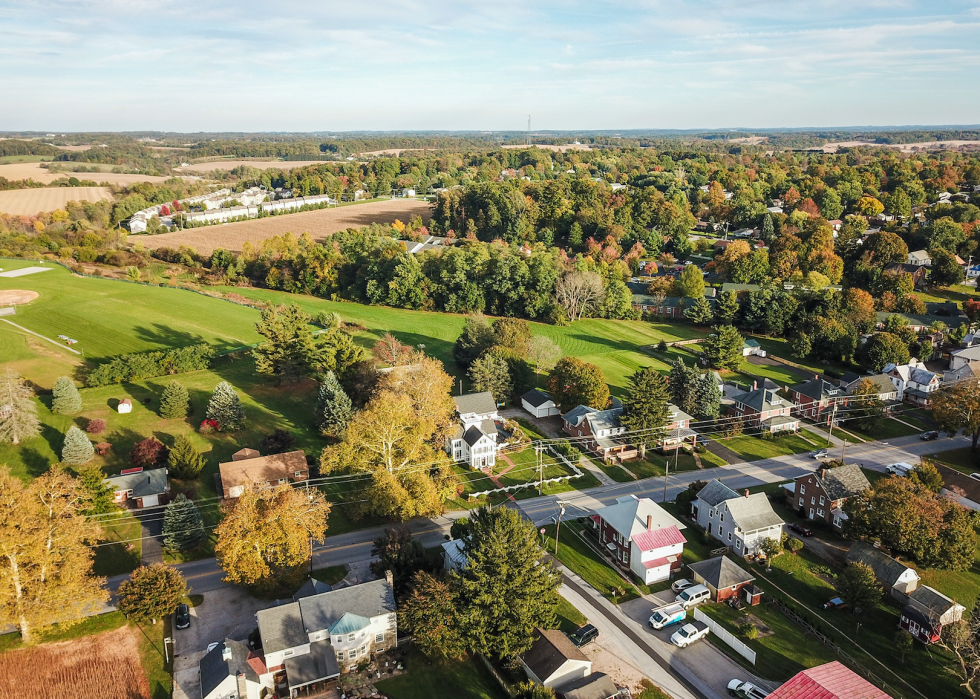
pixel 742 522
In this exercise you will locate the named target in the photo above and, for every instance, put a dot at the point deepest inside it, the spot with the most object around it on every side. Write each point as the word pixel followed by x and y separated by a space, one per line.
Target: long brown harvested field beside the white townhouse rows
pixel 318 224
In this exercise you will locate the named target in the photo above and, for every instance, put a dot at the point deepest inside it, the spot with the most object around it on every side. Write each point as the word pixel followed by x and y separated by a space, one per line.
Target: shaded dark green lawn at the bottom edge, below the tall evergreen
pixel 441 677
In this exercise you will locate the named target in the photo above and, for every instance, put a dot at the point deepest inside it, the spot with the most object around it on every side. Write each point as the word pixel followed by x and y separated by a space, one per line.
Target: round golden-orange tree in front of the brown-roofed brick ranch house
pixel 265 537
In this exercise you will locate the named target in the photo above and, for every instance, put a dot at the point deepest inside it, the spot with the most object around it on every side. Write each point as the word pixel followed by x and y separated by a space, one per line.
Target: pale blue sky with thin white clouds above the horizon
pixel 290 66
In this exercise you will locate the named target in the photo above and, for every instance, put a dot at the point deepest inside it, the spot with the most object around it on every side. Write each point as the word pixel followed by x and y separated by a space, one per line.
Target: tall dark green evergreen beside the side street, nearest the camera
pixel 506 589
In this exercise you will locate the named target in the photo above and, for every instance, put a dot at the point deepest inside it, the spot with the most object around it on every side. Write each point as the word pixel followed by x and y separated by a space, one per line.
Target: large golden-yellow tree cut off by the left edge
pixel 45 553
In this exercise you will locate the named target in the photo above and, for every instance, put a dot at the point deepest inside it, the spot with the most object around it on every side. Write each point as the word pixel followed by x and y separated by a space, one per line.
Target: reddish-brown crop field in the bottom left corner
pixel 104 666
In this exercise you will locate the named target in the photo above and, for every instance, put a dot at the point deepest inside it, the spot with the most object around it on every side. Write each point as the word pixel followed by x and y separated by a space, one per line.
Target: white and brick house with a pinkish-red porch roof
pixel 641 537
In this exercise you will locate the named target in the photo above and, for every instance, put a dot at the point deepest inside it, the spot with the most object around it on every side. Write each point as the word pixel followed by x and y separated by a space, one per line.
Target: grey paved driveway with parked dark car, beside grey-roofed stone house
pixel 228 612
